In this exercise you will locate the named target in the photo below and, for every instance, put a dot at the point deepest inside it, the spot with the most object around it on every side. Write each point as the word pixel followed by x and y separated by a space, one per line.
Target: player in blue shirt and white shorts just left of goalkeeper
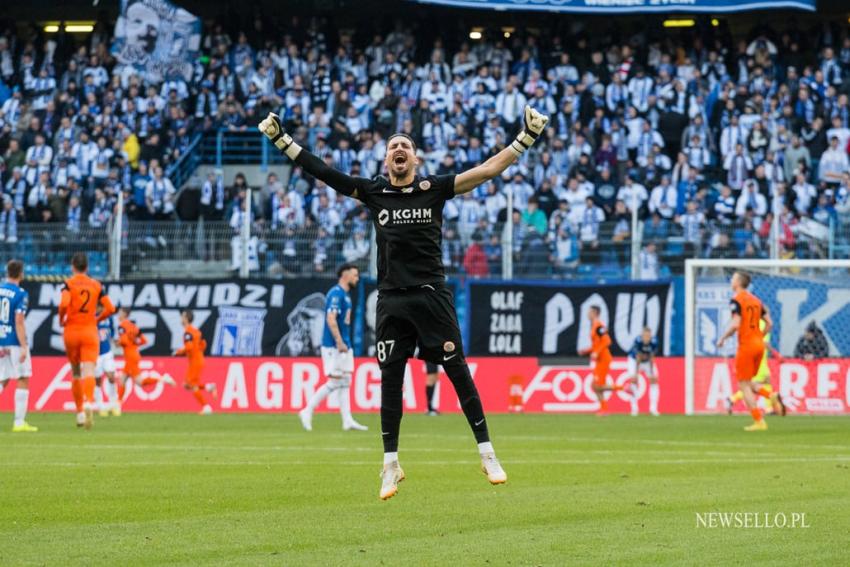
pixel 337 356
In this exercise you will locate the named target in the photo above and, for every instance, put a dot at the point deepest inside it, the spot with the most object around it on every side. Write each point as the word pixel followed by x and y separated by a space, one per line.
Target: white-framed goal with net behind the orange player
pixel 809 358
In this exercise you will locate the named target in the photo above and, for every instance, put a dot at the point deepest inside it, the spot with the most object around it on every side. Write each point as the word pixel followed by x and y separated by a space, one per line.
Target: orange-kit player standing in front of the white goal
pixel 747 314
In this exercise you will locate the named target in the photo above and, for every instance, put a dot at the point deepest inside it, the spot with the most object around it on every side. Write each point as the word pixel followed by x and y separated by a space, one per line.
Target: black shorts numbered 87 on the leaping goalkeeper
pixel 424 316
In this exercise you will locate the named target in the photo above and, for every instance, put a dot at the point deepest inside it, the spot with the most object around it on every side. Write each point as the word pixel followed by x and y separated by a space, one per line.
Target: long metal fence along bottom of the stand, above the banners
pixel 209 249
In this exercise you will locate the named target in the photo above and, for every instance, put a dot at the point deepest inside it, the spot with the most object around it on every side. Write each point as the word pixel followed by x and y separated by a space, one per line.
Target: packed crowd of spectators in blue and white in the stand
pixel 719 143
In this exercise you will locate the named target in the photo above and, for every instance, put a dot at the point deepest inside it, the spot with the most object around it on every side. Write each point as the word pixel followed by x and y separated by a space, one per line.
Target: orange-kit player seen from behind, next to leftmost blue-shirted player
pixel 77 315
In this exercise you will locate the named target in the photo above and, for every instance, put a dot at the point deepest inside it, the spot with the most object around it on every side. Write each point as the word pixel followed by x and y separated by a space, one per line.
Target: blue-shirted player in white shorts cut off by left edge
pixel 15 361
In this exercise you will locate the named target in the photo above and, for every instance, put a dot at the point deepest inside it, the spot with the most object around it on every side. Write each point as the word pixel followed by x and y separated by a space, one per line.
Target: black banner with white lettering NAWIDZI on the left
pixel 237 317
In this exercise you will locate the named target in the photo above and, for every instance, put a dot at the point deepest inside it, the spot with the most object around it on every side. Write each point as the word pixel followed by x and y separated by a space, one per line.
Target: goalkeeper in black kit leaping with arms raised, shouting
pixel 414 305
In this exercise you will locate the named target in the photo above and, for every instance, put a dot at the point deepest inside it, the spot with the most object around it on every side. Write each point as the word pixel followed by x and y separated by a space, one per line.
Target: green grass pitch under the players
pixel 161 489
